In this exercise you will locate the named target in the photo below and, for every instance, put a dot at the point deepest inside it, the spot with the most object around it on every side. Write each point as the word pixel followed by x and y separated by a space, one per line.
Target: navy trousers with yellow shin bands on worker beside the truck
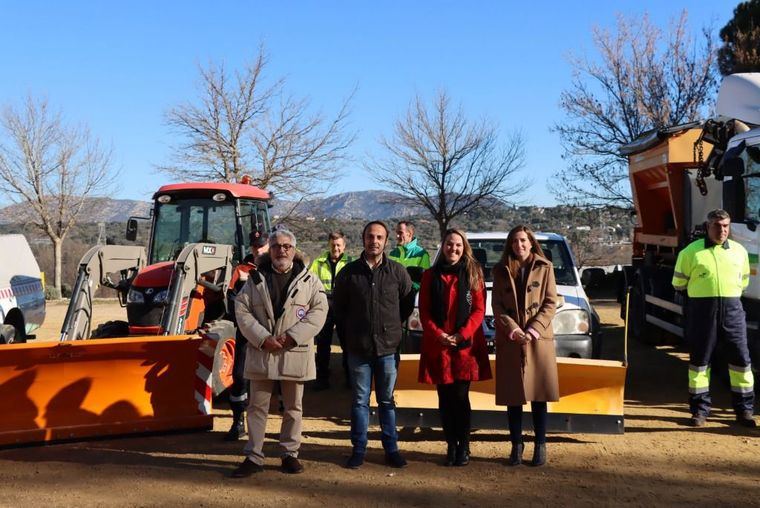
pixel 710 320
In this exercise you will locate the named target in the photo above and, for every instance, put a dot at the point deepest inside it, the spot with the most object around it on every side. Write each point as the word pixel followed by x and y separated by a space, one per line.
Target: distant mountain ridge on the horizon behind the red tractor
pixel 371 204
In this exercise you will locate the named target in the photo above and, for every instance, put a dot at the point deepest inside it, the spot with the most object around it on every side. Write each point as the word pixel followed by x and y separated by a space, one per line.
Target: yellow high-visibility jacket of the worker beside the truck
pixel 708 270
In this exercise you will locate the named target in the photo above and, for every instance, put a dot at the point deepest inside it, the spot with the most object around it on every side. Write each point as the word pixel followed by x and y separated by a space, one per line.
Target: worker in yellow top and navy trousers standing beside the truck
pixel 714 271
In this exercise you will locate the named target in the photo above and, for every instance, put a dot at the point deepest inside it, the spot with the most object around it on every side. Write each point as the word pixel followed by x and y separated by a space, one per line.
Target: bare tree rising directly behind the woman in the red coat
pixel 439 159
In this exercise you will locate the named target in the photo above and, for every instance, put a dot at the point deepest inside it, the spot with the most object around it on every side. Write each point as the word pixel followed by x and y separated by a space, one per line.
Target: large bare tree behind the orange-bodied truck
pixel 642 79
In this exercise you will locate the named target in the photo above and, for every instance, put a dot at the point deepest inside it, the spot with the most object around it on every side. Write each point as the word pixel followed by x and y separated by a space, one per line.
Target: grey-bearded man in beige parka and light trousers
pixel 279 311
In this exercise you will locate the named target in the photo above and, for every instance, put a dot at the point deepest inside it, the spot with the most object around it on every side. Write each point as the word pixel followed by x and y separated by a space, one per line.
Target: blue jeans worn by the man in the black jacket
pixel 384 371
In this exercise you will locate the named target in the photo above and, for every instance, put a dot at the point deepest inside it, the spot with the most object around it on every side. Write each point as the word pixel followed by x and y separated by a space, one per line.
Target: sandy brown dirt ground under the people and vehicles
pixel 657 461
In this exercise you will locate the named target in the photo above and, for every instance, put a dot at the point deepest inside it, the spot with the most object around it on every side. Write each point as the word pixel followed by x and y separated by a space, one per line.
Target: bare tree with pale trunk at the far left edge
pixel 51 168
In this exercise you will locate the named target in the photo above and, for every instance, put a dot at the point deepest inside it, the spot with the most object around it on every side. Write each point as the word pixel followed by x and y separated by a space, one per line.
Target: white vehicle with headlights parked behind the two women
pixel 576 324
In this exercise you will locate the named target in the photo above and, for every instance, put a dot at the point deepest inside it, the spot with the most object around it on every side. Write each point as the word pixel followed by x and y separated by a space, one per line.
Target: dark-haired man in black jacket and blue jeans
pixel 372 296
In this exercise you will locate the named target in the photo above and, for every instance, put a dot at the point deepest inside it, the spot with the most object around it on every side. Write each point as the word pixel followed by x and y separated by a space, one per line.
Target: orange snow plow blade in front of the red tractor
pixel 73 390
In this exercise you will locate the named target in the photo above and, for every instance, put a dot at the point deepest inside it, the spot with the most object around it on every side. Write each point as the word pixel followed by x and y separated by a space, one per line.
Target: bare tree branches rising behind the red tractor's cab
pixel 241 124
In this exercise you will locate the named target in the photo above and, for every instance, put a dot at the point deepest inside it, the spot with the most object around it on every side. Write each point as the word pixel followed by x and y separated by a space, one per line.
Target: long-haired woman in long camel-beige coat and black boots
pixel 524 301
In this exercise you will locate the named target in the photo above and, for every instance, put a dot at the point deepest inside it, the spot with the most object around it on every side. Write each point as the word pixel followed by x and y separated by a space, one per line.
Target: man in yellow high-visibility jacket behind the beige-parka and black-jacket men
pixel 326 267
